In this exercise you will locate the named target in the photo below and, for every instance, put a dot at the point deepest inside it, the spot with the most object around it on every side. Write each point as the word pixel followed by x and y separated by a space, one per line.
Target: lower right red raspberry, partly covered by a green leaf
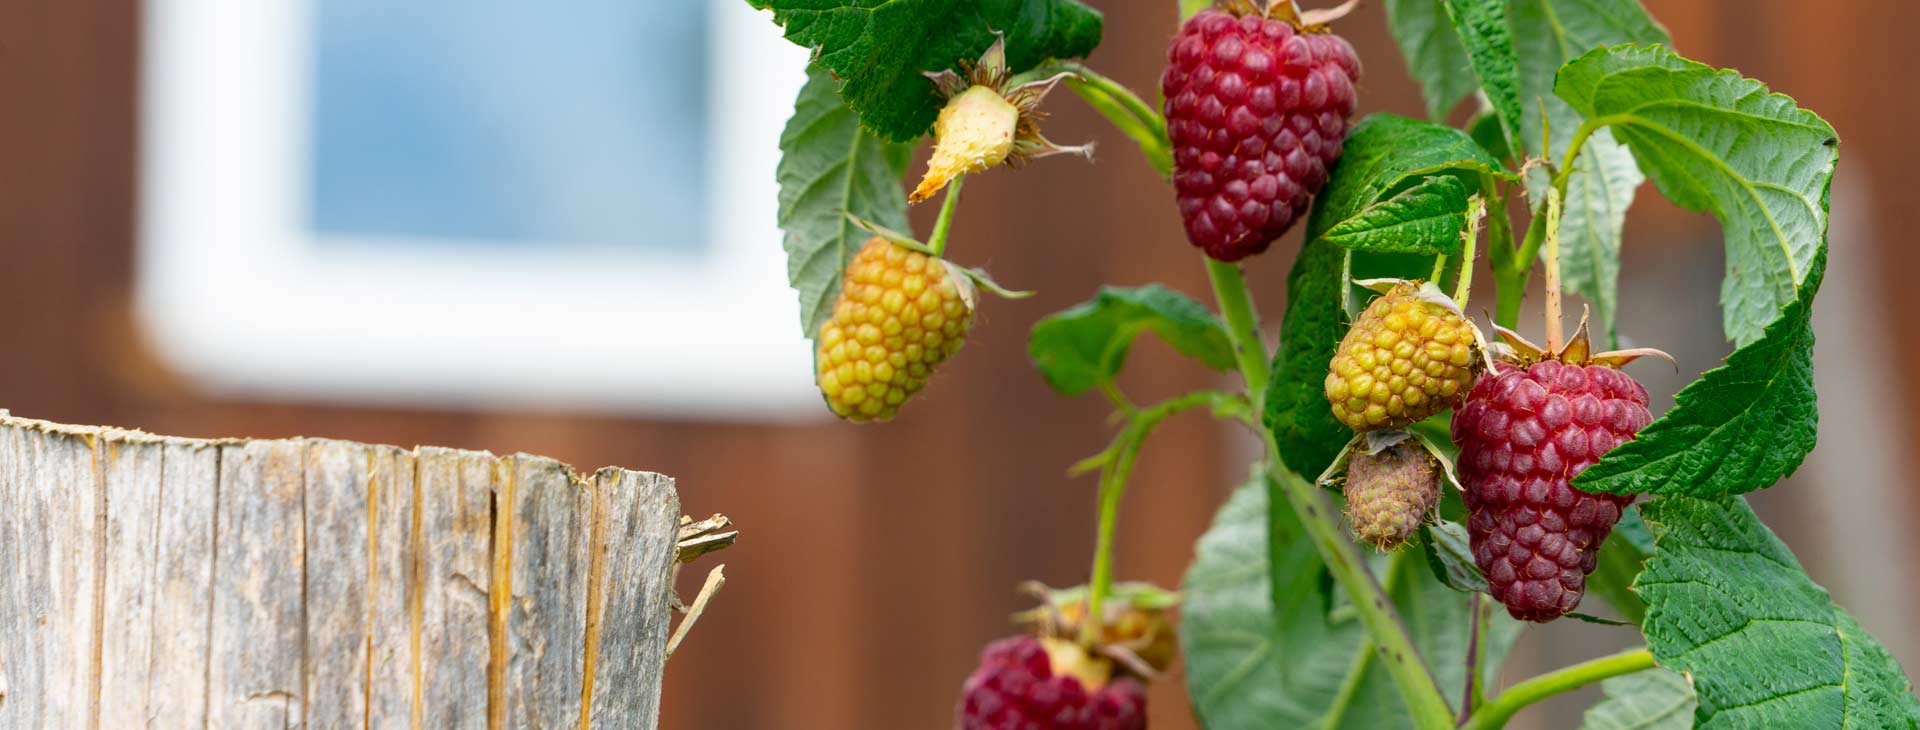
pixel 1524 437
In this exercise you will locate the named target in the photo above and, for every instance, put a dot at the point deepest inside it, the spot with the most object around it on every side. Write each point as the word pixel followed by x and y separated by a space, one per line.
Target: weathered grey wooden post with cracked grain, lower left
pixel 170 583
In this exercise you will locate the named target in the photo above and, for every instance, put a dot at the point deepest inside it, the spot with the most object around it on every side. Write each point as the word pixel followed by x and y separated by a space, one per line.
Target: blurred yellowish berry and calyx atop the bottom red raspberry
pixel 1136 635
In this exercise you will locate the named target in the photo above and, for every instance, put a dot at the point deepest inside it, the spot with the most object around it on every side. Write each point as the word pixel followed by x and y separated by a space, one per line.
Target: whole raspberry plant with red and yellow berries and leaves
pixel 1566 485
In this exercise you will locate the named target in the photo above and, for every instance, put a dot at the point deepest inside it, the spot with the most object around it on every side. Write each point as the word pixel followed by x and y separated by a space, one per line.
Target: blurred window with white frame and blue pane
pixel 456 203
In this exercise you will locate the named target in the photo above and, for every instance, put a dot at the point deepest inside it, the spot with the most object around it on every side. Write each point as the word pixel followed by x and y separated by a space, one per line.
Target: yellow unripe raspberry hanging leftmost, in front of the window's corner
pixel 900 316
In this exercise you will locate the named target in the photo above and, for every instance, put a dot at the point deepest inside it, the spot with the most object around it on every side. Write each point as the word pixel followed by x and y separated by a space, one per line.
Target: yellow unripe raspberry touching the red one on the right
pixel 1406 358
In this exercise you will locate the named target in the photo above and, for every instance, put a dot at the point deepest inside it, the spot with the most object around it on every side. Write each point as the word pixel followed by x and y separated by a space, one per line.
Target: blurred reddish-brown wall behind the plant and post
pixel 876 560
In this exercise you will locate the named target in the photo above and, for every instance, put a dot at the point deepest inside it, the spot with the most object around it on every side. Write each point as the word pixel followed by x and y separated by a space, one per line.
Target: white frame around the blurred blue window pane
pixel 235 291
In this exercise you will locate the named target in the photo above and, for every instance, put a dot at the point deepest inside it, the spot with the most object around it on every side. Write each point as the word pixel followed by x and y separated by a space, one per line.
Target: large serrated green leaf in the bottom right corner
pixel 1765 646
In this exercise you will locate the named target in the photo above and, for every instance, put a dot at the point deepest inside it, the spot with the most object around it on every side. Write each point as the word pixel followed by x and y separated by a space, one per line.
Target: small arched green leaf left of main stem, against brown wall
pixel 1082 347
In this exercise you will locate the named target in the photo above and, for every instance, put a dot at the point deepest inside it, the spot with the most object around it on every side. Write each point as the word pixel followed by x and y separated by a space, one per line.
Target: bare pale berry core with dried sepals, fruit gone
pixel 988 122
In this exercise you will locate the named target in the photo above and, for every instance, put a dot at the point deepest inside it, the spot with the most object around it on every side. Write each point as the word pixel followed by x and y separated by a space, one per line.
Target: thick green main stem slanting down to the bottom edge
pixel 1349 568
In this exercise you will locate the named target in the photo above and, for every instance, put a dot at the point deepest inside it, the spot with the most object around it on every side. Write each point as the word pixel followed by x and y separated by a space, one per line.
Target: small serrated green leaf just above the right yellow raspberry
pixel 1422 220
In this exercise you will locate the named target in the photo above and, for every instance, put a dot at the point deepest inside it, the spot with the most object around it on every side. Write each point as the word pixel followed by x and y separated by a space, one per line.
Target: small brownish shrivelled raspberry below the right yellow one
pixel 1389 495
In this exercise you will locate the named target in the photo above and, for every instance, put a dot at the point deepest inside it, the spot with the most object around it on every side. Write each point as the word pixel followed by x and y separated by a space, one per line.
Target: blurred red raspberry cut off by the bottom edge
pixel 1030 683
